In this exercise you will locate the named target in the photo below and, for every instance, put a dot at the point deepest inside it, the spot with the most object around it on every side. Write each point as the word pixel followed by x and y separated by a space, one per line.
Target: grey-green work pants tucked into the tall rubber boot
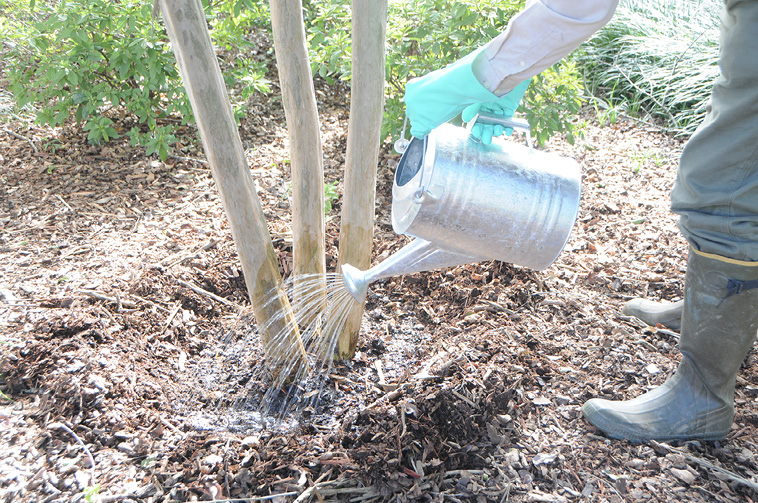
pixel 716 190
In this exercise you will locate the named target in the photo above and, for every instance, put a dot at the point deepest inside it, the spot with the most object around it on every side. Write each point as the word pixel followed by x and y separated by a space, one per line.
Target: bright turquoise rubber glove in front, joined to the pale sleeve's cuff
pixel 439 96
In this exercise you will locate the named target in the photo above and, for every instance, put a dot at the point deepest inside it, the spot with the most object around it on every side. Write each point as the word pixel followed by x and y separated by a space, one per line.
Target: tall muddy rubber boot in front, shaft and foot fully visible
pixel 719 325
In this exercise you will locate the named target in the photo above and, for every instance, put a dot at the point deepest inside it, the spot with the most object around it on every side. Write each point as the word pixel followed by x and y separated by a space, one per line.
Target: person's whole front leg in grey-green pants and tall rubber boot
pixel 716 196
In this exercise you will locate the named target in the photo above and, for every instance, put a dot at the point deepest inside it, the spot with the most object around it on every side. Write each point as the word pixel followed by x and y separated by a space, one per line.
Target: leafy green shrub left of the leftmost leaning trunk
pixel 94 60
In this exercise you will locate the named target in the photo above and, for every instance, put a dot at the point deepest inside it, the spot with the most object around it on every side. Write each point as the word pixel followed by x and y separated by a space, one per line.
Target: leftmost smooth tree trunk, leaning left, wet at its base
pixel 187 29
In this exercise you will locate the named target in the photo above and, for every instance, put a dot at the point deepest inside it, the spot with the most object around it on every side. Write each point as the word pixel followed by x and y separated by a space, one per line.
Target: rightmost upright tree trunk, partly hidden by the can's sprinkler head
pixel 369 20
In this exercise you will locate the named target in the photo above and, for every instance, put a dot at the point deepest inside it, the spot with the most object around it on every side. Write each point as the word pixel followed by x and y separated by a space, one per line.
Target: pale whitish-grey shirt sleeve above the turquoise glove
pixel 538 37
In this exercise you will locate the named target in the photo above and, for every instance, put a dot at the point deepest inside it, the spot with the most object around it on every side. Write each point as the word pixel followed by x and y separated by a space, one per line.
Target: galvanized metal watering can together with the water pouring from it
pixel 463 202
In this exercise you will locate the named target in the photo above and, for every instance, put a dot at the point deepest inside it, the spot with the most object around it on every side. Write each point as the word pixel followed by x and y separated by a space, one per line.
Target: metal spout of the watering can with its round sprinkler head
pixel 418 255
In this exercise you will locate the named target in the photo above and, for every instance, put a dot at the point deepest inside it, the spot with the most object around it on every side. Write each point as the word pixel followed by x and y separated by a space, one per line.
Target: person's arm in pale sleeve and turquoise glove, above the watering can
pixel 539 36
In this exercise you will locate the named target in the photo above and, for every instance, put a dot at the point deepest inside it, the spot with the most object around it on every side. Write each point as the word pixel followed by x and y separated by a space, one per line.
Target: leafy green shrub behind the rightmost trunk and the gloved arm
pixel 426 35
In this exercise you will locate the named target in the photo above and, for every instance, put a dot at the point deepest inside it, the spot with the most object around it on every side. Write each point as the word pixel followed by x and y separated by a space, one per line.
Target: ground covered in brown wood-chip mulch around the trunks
pixel 467 384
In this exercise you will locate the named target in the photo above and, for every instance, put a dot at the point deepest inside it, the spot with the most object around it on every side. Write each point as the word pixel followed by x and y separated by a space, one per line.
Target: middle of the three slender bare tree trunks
pixel 299 101
